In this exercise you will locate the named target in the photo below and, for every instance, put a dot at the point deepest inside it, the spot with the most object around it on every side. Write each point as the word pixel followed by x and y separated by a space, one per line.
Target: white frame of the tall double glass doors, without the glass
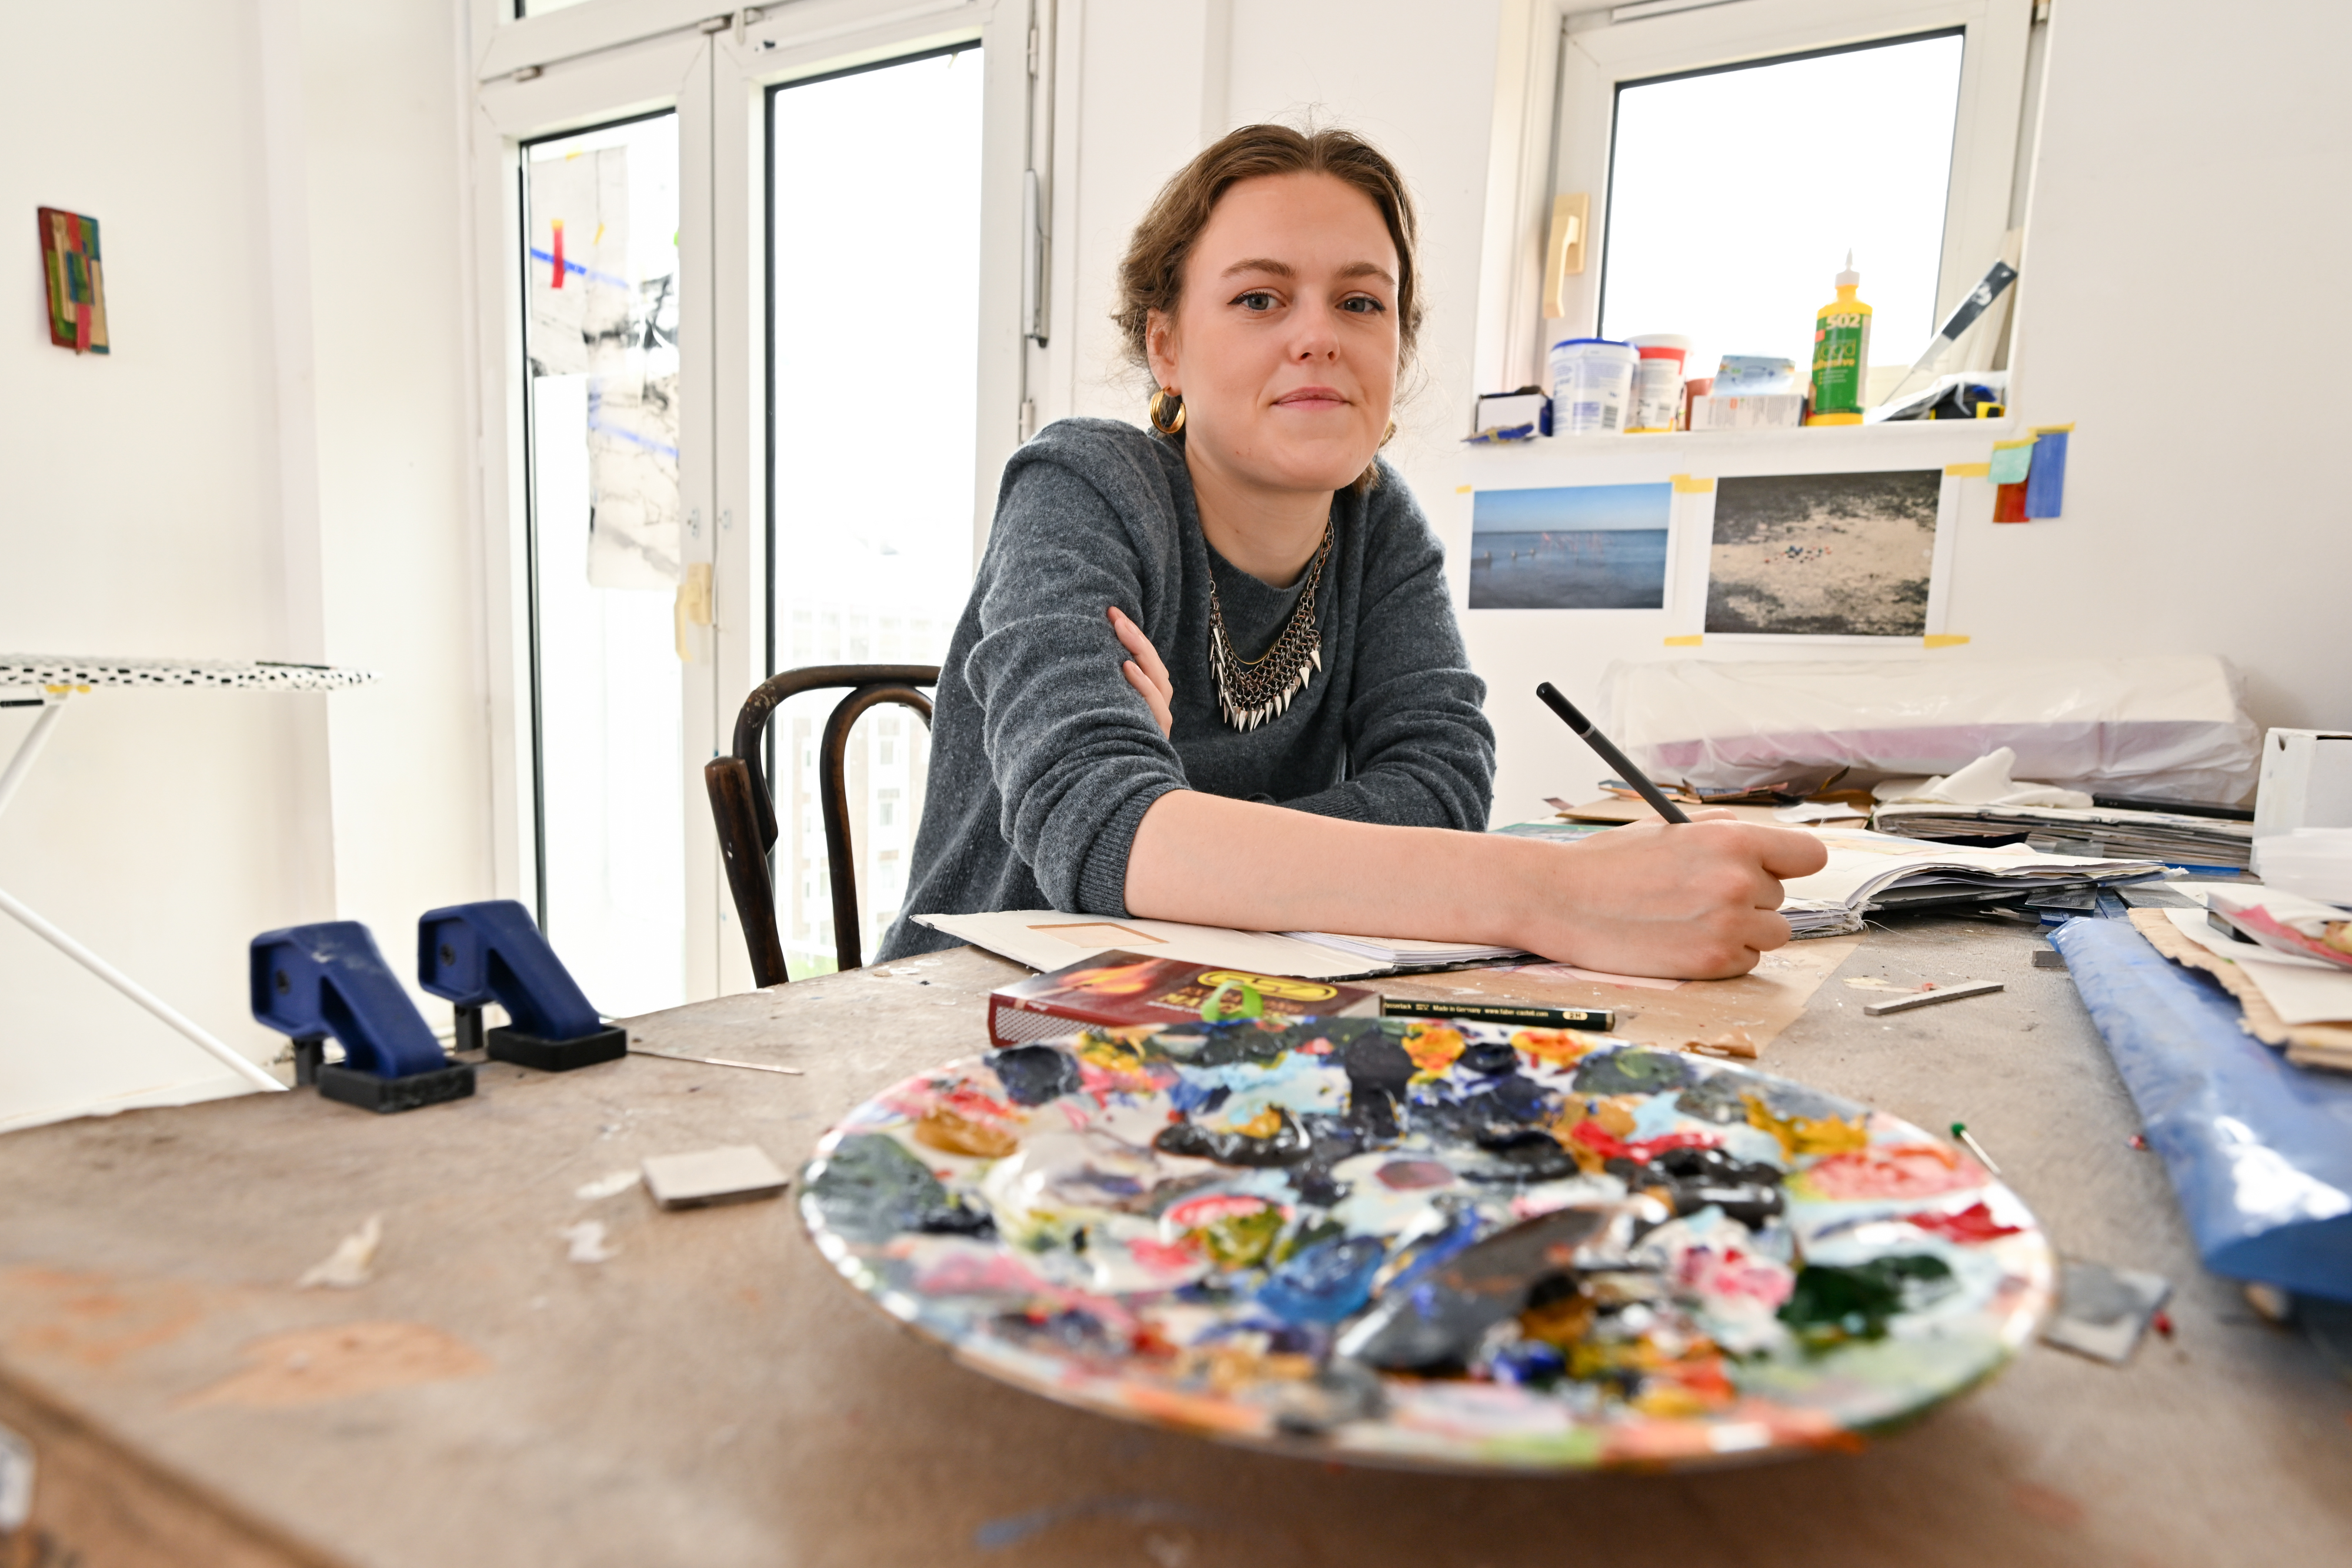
pixel 610 60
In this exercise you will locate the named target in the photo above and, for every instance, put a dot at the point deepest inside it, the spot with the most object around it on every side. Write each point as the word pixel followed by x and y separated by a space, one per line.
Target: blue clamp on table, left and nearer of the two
pixel 330 979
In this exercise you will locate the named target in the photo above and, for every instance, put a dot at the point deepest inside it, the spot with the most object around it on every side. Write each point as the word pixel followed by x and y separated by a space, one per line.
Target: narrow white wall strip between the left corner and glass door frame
pixel 387 201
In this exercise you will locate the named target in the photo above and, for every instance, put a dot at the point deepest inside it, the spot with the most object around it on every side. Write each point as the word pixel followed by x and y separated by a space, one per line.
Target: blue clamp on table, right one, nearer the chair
pixel 479 953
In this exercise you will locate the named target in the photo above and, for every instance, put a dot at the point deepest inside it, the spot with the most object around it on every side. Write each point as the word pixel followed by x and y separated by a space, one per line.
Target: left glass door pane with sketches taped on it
pixel 601 274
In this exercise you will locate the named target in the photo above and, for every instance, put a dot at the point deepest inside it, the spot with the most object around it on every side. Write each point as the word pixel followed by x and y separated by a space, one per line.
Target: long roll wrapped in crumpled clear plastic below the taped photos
pixel 2165 728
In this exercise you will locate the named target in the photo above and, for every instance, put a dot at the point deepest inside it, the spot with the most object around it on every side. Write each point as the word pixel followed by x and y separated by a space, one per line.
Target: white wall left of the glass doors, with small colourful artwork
pixel 267 467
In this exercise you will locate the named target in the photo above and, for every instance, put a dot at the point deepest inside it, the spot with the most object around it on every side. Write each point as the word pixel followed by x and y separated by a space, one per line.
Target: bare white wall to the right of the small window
pixel 2200 504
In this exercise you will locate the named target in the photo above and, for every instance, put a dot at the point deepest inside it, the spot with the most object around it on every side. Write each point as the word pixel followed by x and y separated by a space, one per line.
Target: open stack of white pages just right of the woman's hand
pixel 1878 871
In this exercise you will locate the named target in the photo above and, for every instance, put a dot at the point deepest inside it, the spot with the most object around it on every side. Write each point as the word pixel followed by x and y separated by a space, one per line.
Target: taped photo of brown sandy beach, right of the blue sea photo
pixel 1824 554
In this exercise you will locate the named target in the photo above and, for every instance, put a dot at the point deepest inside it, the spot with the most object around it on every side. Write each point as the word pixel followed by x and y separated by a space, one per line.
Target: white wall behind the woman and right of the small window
pixel 2193 525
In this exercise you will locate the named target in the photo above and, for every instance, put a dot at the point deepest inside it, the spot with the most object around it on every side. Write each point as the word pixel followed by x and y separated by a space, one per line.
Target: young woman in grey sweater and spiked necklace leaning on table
pixel 1212 674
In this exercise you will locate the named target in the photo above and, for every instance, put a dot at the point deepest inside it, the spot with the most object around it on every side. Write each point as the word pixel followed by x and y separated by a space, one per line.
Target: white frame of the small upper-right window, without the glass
pixel 1565 105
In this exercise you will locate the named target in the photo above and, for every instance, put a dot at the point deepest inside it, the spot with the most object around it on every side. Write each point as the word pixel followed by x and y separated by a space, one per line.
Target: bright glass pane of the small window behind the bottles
pixel 1732 236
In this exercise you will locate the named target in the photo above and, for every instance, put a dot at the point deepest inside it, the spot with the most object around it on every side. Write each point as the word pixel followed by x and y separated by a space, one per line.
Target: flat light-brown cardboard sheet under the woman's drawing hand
pixel 1713 1017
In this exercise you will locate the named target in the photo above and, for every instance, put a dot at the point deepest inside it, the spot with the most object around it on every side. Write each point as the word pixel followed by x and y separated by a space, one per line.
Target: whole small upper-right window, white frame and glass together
pixel 1732 154
